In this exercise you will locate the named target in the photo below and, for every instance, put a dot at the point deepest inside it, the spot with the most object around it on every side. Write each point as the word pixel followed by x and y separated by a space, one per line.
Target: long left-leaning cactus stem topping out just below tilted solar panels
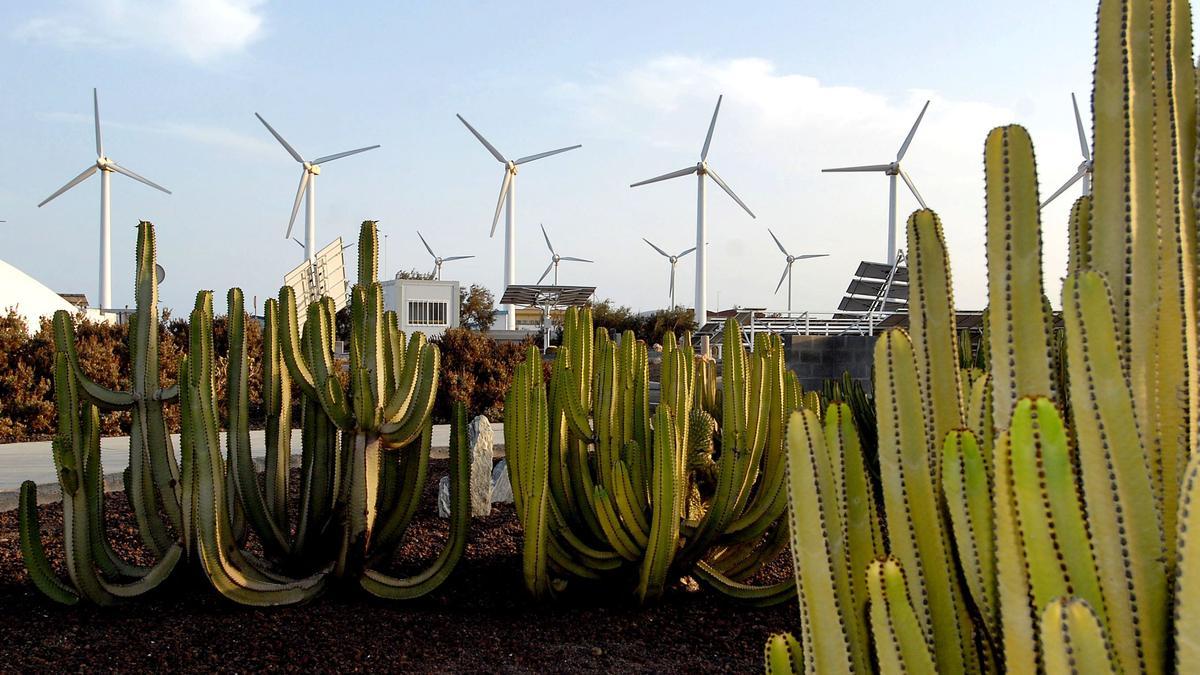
pixel 914 517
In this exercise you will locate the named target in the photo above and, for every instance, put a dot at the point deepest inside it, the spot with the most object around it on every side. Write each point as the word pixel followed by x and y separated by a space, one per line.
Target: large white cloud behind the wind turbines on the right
pixel 777 132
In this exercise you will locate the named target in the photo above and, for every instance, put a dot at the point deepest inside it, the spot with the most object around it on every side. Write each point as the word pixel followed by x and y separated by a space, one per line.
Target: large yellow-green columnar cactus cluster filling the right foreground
pixel 1037 517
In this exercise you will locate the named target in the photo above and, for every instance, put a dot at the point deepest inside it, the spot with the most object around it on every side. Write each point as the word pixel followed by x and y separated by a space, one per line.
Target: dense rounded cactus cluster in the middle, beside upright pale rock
pixel 608 488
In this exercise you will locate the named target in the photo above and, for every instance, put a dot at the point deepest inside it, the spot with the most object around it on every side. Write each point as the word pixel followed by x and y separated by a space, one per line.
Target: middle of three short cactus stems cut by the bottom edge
pixel 901 644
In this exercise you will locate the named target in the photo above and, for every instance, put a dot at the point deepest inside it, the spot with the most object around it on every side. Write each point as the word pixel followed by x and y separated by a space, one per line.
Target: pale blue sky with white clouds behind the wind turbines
pixel 807 86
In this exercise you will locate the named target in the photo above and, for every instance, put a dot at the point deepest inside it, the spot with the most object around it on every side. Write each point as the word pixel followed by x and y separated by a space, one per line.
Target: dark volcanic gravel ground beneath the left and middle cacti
pixel 481 620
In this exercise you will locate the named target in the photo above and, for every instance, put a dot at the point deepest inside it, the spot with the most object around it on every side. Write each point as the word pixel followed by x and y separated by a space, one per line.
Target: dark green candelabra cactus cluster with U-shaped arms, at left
pixel 364 455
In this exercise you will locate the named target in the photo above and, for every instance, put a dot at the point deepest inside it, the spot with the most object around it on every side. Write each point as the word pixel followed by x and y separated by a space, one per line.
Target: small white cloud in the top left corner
pixel 199 31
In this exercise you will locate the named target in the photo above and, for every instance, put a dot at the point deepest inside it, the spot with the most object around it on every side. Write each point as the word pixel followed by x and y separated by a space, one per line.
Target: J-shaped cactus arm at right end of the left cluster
pixel 385 587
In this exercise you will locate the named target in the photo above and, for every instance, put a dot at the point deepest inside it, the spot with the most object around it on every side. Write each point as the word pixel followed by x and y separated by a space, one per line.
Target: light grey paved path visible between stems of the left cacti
pixel 33 462
